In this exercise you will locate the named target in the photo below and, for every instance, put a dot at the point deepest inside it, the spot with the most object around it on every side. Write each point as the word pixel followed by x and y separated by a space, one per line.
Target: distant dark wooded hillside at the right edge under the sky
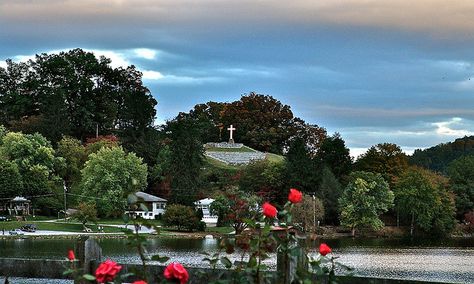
pixel 437 158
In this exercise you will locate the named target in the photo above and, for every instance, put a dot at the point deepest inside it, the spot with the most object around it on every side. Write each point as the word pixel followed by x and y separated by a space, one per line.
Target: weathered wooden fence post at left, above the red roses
pixel 89 253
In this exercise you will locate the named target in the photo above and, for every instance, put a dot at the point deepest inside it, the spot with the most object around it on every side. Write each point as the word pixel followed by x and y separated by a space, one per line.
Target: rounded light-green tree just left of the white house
pixel 109 176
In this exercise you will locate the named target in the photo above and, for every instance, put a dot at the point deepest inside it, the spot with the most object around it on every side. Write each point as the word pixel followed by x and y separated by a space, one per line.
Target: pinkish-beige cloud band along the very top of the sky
pixel 438 17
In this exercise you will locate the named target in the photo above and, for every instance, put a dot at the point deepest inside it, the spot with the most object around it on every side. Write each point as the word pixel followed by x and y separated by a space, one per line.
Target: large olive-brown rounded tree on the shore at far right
pixel 424 198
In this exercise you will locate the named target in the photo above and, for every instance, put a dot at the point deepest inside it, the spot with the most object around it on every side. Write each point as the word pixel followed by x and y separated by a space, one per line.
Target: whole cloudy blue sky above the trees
pixel 374 71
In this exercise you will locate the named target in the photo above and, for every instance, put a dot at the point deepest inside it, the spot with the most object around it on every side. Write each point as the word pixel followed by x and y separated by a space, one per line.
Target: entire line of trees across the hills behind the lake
pixel 52 108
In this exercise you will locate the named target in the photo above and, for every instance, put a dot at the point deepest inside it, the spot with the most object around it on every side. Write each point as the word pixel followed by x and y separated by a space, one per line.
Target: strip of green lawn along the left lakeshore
pixel 53 226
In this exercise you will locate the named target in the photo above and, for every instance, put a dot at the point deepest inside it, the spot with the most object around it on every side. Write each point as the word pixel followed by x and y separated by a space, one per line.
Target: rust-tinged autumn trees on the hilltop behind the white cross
pixel 261 122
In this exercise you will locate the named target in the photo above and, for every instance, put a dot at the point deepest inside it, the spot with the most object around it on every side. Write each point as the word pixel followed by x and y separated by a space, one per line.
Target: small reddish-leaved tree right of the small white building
pixel 233 207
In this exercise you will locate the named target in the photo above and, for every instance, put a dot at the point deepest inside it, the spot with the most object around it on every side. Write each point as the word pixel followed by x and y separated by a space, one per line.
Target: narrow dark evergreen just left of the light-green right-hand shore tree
pixel 330 191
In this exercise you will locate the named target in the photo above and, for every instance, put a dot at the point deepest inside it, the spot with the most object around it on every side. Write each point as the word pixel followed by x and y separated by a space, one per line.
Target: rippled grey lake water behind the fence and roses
pixel 449 261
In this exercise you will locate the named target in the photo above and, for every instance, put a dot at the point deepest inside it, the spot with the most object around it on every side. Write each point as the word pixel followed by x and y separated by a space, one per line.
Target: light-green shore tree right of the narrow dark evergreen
pixel 366 197
